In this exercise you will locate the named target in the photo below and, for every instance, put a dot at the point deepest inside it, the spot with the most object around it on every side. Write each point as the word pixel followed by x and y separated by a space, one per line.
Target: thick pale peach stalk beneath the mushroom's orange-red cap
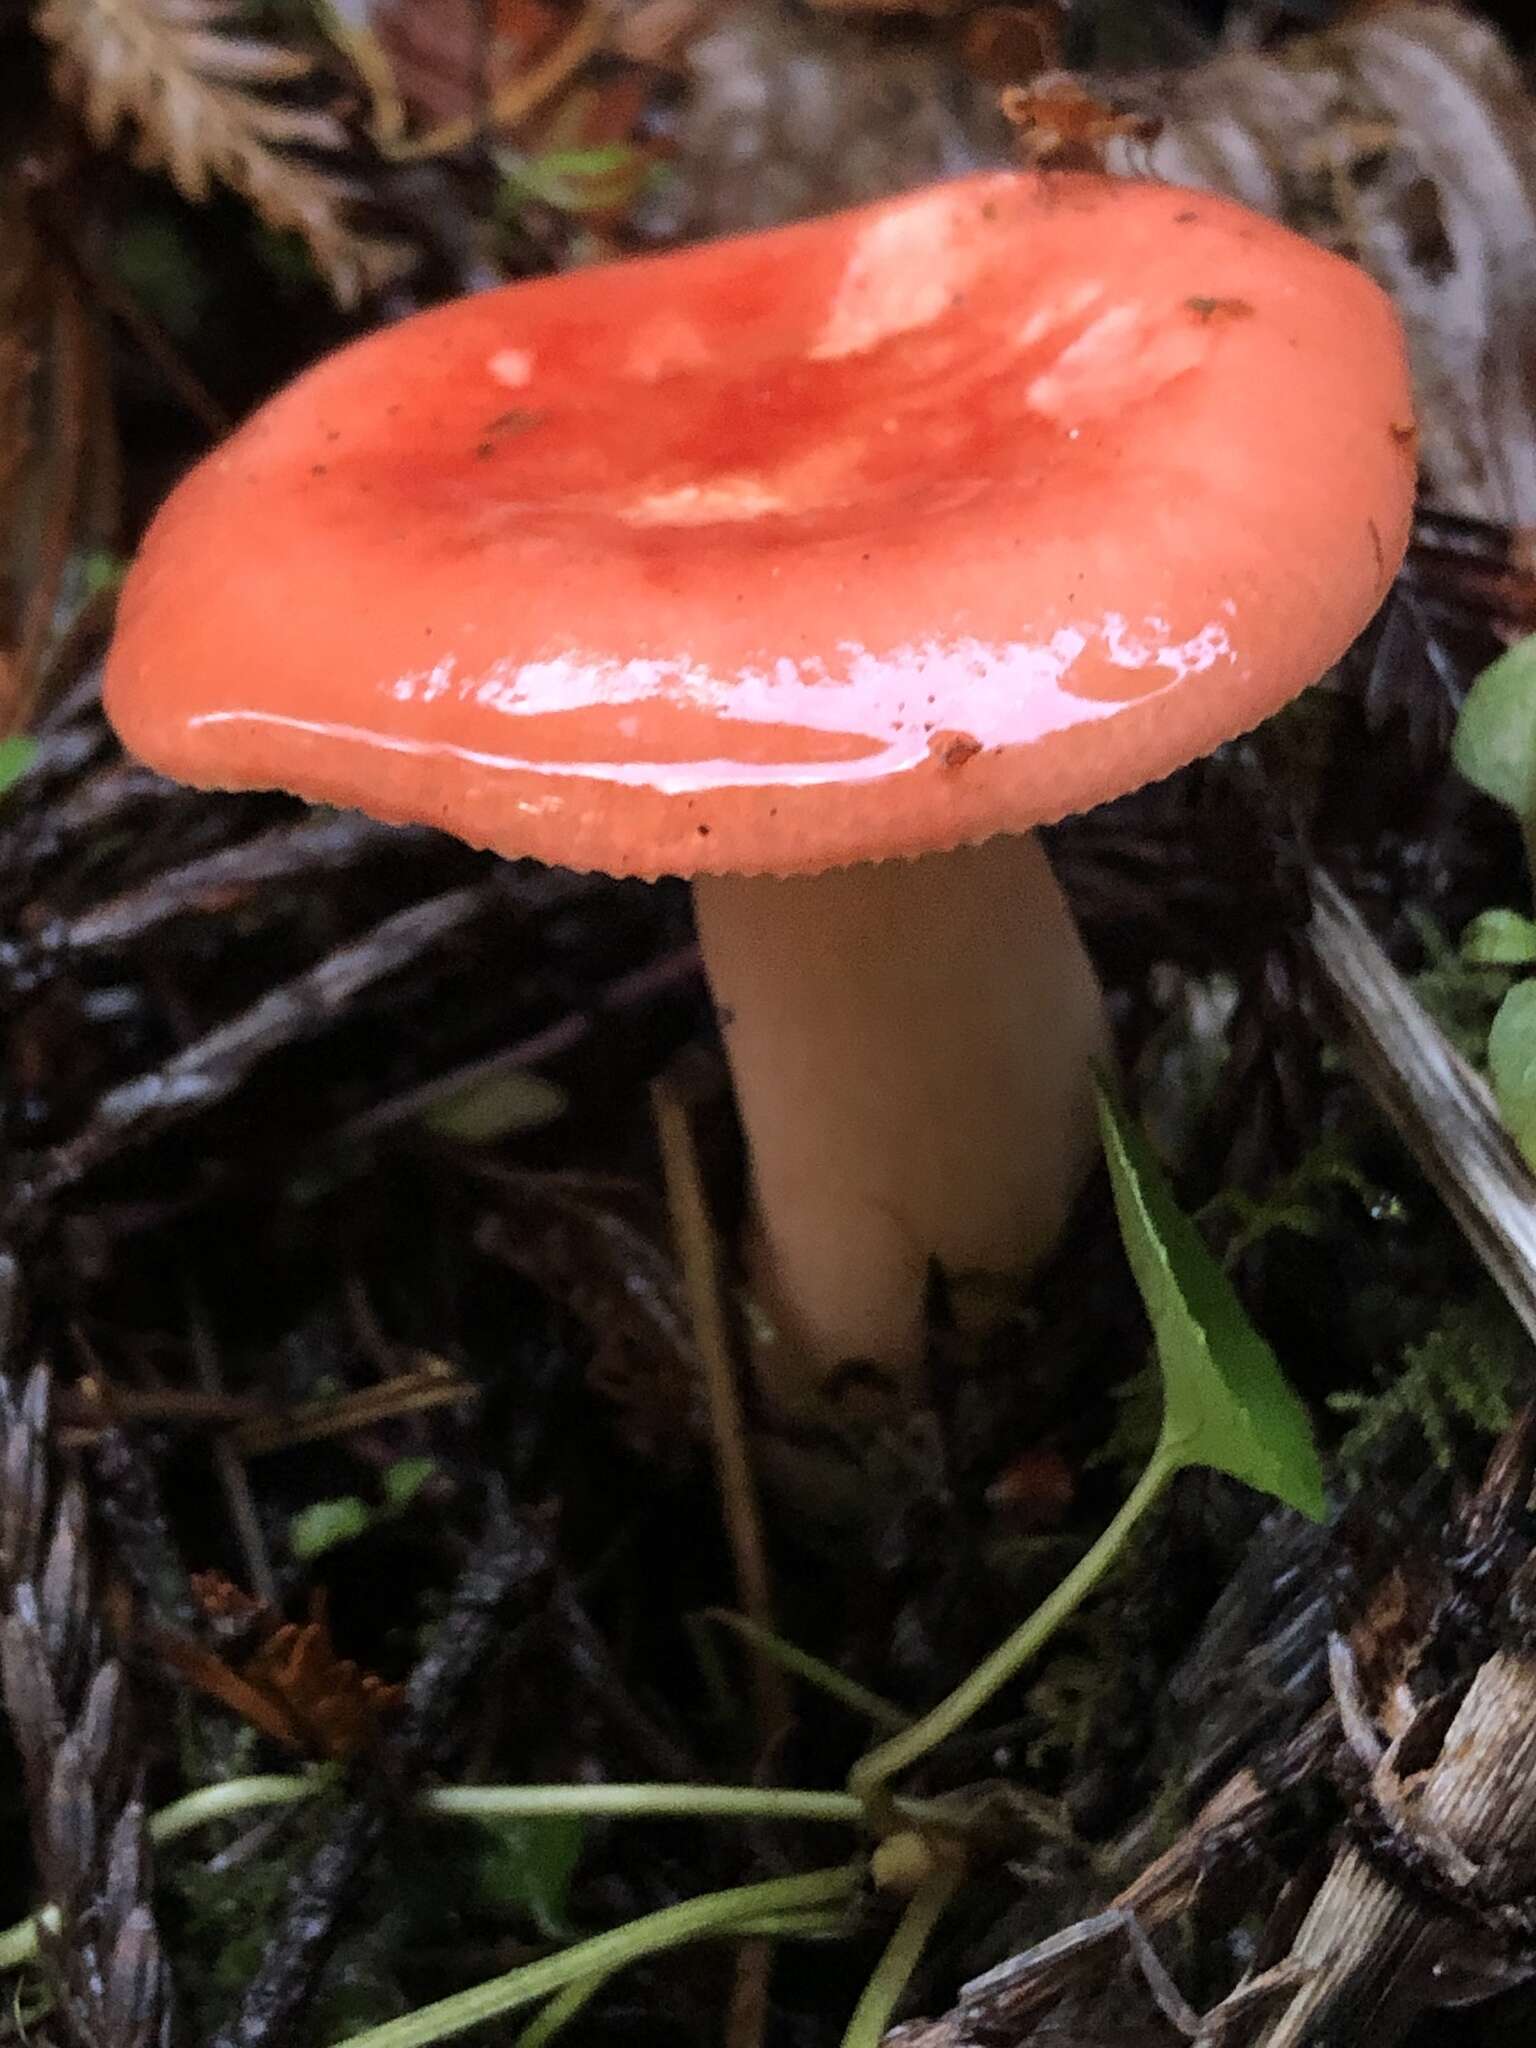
pixel 912 1048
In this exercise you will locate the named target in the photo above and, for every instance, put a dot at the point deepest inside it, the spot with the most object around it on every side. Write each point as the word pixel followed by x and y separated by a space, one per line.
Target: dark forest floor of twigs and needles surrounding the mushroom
pixel 355 1441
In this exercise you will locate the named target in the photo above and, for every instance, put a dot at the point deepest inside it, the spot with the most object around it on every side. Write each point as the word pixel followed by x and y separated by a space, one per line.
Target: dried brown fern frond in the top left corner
pixel 200 95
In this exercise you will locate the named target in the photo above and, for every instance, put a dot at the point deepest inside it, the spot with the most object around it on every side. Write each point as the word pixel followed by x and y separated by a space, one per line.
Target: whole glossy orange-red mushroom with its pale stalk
pixel 818 566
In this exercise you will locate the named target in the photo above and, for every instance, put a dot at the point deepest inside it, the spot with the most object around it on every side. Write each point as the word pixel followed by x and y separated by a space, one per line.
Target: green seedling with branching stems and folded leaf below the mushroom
pixel 1226 1406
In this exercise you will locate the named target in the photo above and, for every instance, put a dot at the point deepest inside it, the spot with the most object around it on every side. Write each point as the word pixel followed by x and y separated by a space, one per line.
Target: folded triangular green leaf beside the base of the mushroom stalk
pixel 1226 1402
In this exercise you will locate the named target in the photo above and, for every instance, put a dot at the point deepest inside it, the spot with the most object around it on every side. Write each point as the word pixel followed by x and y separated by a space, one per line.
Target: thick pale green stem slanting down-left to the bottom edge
pixel 716 1914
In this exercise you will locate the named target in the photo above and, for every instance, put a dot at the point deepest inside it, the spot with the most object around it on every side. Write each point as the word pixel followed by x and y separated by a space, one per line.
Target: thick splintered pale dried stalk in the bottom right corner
pixel 1431 1900
